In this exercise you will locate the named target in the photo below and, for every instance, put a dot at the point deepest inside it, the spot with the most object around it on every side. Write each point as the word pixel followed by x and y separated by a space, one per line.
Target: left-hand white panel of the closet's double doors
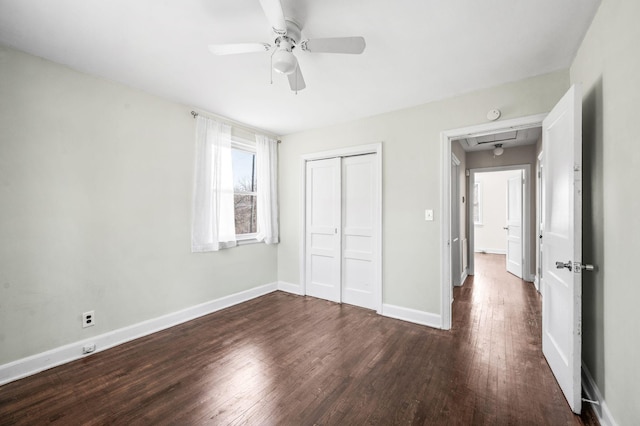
pixel 323 224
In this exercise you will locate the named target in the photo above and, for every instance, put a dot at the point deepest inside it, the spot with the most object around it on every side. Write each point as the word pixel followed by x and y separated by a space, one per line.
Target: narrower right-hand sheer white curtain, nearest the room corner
pixel 267 171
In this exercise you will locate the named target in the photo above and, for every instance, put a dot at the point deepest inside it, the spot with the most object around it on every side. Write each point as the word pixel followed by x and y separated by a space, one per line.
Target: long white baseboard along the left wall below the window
pixel 36 363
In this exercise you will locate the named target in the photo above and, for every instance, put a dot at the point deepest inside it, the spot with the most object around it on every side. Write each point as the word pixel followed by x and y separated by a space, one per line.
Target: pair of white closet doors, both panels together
pixel 340 219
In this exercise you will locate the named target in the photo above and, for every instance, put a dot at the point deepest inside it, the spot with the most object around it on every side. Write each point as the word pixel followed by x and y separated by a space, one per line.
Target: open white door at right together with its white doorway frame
pixel 562 227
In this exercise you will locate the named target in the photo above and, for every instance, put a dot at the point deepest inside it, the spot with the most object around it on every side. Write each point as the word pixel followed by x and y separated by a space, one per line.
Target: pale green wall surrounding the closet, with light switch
pixel 411 180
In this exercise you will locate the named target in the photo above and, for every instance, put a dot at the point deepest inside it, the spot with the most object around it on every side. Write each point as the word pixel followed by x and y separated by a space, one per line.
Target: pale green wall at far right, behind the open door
pixel 608 66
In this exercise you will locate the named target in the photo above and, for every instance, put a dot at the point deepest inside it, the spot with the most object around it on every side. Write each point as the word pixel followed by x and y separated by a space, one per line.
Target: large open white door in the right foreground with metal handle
pixel 562 237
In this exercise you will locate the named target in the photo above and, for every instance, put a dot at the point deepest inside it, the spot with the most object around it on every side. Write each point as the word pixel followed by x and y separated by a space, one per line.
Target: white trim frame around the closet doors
pixel 346 152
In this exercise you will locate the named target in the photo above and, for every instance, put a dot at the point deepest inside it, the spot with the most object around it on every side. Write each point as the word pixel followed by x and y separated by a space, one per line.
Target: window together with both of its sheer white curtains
pixel 227 206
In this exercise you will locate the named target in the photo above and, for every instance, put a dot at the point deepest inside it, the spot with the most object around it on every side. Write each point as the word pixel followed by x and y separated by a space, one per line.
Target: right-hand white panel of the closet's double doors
pixel 358 233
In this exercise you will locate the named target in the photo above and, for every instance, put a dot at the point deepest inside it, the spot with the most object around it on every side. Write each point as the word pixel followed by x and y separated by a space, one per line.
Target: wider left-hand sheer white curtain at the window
pixel 213 223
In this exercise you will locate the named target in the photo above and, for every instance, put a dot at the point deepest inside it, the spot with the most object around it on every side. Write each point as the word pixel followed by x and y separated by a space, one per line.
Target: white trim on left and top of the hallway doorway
pixel 445 195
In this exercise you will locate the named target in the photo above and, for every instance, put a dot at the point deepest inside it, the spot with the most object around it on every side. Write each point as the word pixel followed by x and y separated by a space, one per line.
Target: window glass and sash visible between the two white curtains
pixel 243 157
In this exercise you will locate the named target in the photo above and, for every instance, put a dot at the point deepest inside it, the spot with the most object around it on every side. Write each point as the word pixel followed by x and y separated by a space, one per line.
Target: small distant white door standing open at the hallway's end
pixel 514 225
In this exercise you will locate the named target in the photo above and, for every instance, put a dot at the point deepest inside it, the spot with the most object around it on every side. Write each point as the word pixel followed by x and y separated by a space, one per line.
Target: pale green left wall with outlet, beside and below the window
pixel 95 193
